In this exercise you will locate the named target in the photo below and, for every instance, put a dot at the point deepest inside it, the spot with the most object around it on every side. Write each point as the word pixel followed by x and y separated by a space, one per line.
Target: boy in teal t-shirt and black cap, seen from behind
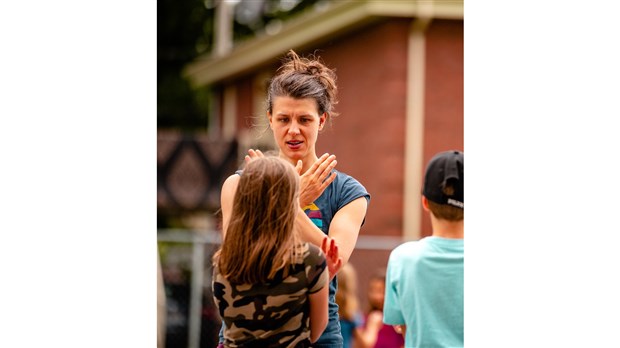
pixel 424 282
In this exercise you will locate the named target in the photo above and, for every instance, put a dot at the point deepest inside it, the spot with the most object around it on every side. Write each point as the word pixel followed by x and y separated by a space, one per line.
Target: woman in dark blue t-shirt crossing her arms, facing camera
pixel 300 101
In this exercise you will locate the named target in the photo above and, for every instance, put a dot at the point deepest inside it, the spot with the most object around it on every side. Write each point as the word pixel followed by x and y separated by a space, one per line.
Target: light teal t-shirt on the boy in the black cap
pixel 424 290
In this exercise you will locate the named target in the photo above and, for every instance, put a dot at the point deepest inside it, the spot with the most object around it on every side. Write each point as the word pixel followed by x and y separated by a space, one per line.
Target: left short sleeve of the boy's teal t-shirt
pixel 392 313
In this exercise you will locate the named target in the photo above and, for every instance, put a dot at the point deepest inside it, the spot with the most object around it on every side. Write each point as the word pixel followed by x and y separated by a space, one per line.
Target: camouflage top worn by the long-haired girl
pixel 274 314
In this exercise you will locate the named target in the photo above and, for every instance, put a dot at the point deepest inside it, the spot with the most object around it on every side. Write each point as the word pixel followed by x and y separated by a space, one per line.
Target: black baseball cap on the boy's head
pixel 444 167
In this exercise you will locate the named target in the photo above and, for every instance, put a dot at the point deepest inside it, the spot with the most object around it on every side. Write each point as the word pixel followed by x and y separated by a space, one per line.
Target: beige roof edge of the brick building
pixel 312 27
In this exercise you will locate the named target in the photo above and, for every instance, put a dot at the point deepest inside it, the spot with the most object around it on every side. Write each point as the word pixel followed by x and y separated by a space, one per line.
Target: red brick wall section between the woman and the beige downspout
pixel 368 137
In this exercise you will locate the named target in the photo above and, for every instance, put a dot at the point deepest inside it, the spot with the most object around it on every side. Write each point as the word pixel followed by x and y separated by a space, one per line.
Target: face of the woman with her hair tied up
pixel 296 124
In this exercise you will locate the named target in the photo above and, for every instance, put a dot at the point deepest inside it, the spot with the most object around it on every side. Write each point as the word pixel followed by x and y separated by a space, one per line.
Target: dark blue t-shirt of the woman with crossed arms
pixel 342 191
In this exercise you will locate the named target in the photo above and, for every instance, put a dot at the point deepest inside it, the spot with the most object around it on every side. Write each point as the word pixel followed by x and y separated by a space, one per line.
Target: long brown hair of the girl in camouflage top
pixel 261 238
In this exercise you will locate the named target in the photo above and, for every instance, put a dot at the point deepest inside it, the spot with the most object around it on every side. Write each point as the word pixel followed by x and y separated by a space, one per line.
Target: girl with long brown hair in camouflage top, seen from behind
pixel 270 288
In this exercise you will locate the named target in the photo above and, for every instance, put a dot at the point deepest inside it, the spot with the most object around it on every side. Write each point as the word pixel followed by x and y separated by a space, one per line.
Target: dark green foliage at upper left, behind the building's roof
pixel 185 31
